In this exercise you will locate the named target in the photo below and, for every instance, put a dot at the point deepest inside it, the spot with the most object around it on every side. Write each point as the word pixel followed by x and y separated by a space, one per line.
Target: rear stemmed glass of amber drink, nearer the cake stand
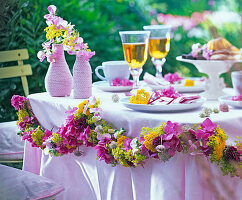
pixel 159 45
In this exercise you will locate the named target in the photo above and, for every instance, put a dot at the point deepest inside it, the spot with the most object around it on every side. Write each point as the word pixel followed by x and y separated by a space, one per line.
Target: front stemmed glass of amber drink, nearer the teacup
pixel 135 48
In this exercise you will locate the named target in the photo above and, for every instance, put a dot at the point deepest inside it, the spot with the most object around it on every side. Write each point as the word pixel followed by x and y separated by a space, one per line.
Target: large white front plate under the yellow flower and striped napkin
pixel 162 108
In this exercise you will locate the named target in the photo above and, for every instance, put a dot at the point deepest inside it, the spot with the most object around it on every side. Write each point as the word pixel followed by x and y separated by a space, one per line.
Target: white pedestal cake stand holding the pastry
pixel 213 68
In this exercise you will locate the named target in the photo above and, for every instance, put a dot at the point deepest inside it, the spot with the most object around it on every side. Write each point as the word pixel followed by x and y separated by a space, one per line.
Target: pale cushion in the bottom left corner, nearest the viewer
pixel 18 184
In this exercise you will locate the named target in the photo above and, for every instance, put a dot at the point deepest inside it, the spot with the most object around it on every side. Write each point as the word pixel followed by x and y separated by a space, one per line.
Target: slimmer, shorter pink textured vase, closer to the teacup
pixel 82 79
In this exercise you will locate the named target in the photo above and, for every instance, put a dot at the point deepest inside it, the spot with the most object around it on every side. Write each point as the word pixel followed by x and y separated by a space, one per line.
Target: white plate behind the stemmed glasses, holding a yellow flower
pixel 199 85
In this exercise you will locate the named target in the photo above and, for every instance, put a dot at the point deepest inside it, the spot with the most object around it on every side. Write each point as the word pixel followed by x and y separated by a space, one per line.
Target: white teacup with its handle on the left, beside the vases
pixel 112 70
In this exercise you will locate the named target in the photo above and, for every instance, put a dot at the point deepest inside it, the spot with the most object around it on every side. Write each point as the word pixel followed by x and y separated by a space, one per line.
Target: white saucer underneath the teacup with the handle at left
pixel 105 86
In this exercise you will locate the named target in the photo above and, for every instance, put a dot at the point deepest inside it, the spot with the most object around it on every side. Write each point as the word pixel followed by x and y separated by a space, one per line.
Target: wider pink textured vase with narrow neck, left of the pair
pixel 58 80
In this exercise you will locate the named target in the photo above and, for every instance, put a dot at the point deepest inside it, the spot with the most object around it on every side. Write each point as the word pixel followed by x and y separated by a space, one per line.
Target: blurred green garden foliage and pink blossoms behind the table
pixel 99 21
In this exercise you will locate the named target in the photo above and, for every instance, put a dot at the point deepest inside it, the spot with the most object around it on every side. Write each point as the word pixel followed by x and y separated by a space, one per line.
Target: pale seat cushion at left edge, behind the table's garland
pixel 11 145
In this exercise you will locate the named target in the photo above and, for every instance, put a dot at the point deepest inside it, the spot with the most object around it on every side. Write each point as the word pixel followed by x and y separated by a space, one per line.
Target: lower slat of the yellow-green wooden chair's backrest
pixel 9 72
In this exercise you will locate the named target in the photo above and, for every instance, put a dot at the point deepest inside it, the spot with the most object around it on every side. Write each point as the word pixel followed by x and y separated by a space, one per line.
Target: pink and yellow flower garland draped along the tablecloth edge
pixel 84 126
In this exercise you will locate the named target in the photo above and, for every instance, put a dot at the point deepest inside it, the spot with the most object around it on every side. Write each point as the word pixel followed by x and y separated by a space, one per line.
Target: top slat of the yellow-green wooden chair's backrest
pixel 14 55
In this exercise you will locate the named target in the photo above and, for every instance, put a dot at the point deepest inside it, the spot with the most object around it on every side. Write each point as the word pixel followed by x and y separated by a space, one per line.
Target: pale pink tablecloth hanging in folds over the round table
pixel 85 177
